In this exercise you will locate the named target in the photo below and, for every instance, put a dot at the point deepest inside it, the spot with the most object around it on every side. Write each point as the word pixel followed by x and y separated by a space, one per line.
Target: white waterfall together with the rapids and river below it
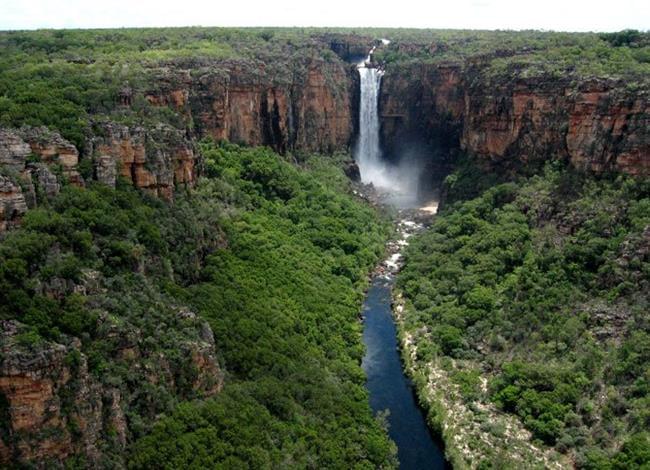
pixel 390 390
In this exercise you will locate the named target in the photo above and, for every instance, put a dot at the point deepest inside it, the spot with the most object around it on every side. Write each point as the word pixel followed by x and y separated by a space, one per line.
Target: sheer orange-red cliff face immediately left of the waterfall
pixel 307 108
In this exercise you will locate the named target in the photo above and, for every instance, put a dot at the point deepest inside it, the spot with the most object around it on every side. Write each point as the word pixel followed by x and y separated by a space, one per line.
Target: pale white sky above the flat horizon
pixel 557 15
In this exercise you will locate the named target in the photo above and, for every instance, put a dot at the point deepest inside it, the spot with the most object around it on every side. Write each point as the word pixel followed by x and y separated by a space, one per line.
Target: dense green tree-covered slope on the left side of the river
pixel 274 257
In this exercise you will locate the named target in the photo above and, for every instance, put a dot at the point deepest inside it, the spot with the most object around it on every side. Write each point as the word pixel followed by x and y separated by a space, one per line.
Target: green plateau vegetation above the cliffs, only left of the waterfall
pixel 65 78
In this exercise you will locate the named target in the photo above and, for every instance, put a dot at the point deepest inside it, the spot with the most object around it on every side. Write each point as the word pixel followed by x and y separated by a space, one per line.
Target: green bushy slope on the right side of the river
pixel 542 286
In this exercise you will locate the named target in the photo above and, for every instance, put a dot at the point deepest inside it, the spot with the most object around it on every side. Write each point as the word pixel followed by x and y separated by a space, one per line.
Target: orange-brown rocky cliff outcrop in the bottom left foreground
pixel 52 407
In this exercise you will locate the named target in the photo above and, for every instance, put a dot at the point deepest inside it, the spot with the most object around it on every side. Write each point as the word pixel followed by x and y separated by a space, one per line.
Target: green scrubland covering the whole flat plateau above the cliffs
pixel 65 78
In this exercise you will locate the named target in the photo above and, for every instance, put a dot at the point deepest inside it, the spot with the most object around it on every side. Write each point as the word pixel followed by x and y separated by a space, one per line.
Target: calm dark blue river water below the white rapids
pixel 390 389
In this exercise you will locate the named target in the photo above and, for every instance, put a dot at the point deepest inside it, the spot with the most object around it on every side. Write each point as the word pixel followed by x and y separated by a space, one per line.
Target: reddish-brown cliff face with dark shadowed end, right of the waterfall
pixel 596 125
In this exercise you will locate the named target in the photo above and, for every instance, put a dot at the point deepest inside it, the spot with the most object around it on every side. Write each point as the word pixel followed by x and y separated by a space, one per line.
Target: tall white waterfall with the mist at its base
pixel 399 183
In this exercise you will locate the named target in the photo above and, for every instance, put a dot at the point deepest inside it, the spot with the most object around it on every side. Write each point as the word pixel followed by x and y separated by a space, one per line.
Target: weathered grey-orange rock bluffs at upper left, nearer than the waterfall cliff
pixel 38 161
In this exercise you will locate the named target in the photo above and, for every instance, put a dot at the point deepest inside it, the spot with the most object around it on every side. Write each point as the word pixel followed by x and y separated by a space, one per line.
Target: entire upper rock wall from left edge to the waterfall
pixel 310 107
